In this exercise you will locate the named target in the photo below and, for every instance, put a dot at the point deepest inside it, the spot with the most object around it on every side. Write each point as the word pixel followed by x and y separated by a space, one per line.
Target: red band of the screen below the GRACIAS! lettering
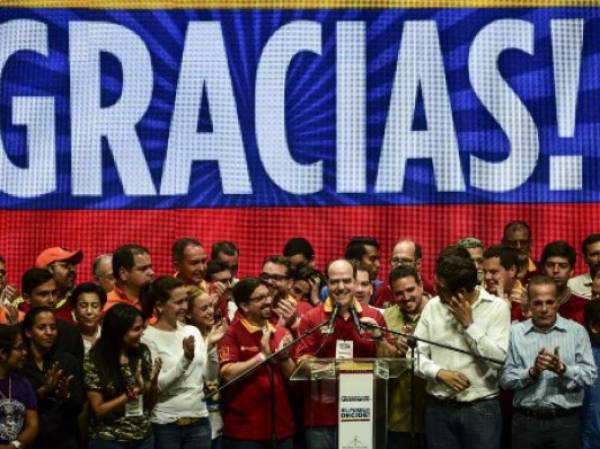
pixel 263 231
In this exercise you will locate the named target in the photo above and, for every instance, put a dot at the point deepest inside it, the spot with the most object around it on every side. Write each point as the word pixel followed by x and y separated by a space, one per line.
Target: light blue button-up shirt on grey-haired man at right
pixel 549 390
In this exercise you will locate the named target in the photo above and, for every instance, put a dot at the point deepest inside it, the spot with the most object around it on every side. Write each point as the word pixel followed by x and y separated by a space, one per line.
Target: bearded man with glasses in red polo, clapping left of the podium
pixel 256 408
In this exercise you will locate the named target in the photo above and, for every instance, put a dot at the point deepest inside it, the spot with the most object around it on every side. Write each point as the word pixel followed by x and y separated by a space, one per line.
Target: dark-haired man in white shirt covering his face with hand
pixel 462 409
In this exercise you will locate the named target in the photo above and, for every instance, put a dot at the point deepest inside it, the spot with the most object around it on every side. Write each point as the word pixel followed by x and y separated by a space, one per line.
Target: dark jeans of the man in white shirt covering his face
pixel 454 425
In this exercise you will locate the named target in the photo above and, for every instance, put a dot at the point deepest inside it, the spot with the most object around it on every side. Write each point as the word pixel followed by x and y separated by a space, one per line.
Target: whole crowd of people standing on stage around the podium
pixel 136 361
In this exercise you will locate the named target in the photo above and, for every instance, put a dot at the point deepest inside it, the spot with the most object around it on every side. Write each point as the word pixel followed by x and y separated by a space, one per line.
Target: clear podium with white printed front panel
pixel 356 391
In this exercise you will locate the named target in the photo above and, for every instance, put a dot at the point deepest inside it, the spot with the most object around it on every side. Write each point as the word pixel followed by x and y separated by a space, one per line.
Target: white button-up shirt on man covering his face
pixel 487 336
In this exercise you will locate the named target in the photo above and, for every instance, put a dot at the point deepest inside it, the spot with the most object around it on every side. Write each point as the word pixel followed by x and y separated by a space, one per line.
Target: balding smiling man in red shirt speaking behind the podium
pixel 320 417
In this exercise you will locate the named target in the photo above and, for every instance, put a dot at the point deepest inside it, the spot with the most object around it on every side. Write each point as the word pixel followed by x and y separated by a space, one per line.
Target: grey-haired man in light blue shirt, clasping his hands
pixel 549 365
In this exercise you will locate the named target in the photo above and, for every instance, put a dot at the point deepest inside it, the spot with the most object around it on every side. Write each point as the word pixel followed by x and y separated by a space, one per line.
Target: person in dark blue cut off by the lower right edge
pixel 590 432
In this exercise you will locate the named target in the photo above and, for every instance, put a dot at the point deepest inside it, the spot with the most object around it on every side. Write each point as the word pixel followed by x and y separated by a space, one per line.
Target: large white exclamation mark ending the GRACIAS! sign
pixel 567 43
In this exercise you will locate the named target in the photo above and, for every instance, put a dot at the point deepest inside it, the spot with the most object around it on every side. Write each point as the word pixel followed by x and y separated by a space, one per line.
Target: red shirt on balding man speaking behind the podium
pixel 321 407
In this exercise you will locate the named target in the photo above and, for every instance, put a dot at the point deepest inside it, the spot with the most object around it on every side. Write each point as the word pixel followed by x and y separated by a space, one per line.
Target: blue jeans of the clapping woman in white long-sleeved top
pixel 172 436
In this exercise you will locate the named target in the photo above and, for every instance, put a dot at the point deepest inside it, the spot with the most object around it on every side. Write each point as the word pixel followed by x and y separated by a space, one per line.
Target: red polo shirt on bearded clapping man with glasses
pixel 247 406
